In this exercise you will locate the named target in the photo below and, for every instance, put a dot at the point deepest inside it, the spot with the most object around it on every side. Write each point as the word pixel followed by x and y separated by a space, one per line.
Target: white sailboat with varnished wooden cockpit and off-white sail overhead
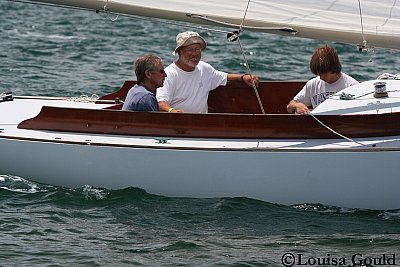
pixel 344 153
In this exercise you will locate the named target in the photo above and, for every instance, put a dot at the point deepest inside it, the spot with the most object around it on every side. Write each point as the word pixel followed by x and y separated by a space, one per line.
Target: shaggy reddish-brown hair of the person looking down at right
pixel 325 59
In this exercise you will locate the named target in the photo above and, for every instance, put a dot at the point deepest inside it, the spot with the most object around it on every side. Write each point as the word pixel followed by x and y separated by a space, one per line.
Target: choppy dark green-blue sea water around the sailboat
pixel 63 52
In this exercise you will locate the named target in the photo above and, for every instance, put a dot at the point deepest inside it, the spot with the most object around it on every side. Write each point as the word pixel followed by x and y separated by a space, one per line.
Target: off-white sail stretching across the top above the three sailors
pixel 374 23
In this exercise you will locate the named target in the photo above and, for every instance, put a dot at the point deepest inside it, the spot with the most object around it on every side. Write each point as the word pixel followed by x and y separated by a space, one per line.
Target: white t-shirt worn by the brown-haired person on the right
pixel 316 91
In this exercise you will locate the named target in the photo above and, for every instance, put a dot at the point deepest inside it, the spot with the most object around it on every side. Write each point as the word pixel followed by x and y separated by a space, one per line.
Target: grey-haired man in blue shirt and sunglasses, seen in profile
pixel 150 75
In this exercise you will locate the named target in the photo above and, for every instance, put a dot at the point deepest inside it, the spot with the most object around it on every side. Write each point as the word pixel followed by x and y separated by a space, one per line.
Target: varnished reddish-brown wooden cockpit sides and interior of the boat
pixel 234 113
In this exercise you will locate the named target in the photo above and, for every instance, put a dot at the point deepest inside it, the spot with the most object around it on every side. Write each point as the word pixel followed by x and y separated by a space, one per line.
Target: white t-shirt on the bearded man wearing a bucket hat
pixel 189 90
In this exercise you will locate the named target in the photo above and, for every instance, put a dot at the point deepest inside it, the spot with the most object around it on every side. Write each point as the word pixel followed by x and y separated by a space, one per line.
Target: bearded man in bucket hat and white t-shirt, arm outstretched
pixel 189 80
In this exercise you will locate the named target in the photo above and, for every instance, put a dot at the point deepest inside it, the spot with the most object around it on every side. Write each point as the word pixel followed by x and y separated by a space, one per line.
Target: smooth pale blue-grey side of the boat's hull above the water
pixel 354 179
